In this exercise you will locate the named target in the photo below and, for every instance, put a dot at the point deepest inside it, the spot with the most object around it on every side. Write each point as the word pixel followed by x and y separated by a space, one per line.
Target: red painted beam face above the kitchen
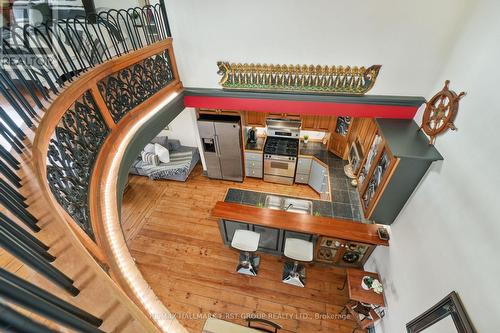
pixel 302 107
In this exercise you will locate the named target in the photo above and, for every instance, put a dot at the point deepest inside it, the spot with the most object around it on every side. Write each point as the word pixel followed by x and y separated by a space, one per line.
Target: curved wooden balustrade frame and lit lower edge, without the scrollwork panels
pixel 110 249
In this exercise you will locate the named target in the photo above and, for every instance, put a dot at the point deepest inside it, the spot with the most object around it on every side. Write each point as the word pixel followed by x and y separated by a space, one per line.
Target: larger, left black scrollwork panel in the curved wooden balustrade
pixel 71 157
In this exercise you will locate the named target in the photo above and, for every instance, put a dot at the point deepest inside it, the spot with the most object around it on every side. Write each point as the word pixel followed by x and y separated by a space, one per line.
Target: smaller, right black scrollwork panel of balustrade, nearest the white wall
pixel 129 87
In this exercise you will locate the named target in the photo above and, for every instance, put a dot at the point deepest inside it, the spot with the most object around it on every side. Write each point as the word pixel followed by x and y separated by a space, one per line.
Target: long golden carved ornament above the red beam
pixel 313 79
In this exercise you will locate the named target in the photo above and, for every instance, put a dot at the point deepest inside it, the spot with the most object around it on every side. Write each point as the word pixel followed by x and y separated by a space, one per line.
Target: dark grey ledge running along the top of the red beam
pixel 414 101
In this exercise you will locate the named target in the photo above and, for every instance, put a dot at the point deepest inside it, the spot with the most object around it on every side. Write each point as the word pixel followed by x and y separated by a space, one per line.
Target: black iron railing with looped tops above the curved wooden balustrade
pixel 40 60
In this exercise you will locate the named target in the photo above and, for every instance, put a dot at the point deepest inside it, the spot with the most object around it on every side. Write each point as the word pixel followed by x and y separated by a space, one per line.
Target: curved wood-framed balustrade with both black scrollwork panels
pixel 80 119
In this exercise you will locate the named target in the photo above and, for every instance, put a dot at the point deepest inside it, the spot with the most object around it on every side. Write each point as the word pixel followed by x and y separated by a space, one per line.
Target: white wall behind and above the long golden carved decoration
pixel 410 39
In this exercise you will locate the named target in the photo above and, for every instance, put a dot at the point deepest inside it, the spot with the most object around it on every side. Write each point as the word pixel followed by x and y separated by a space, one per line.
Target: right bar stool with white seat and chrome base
pixel 298 250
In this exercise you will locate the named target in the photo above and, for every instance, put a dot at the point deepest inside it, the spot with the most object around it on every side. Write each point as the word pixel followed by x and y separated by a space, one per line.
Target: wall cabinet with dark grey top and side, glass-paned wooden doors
pixel 398 157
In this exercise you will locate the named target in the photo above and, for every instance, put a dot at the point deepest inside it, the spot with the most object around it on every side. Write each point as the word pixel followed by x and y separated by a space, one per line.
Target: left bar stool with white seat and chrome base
pixel 247 242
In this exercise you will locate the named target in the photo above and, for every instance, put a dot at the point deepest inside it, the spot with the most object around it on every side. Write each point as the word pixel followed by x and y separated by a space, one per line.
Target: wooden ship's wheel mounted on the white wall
pixel 440 112
